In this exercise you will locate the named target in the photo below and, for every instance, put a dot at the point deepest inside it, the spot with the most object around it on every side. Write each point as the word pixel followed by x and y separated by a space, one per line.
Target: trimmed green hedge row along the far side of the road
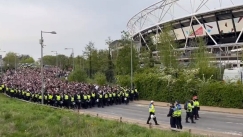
pixel 219 94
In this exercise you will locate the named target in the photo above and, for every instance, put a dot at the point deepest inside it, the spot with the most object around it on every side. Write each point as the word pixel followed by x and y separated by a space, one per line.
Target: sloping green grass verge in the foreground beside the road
pixel 20 119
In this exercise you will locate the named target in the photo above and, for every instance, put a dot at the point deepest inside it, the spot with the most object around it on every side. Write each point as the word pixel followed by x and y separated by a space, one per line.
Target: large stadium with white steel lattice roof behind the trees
pixel 218 22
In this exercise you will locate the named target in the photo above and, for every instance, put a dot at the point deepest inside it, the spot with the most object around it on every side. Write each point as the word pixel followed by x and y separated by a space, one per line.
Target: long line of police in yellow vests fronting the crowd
pixel 76 100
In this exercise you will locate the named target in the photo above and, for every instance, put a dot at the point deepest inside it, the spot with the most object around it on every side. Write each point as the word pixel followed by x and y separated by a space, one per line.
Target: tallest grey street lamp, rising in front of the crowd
pixel 42 77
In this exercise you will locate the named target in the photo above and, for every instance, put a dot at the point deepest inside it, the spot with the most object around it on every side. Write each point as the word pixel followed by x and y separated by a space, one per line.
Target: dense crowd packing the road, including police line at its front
pixel 26 84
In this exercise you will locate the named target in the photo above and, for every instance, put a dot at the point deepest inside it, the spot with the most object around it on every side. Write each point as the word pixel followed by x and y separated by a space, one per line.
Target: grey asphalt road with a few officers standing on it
pixel 209 121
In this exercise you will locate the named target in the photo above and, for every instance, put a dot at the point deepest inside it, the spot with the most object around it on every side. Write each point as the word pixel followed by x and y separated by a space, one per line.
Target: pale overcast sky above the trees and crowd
pixel 76 22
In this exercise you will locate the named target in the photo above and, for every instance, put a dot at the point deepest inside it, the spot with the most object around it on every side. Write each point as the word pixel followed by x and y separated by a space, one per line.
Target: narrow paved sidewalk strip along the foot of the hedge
pixel 203 108
